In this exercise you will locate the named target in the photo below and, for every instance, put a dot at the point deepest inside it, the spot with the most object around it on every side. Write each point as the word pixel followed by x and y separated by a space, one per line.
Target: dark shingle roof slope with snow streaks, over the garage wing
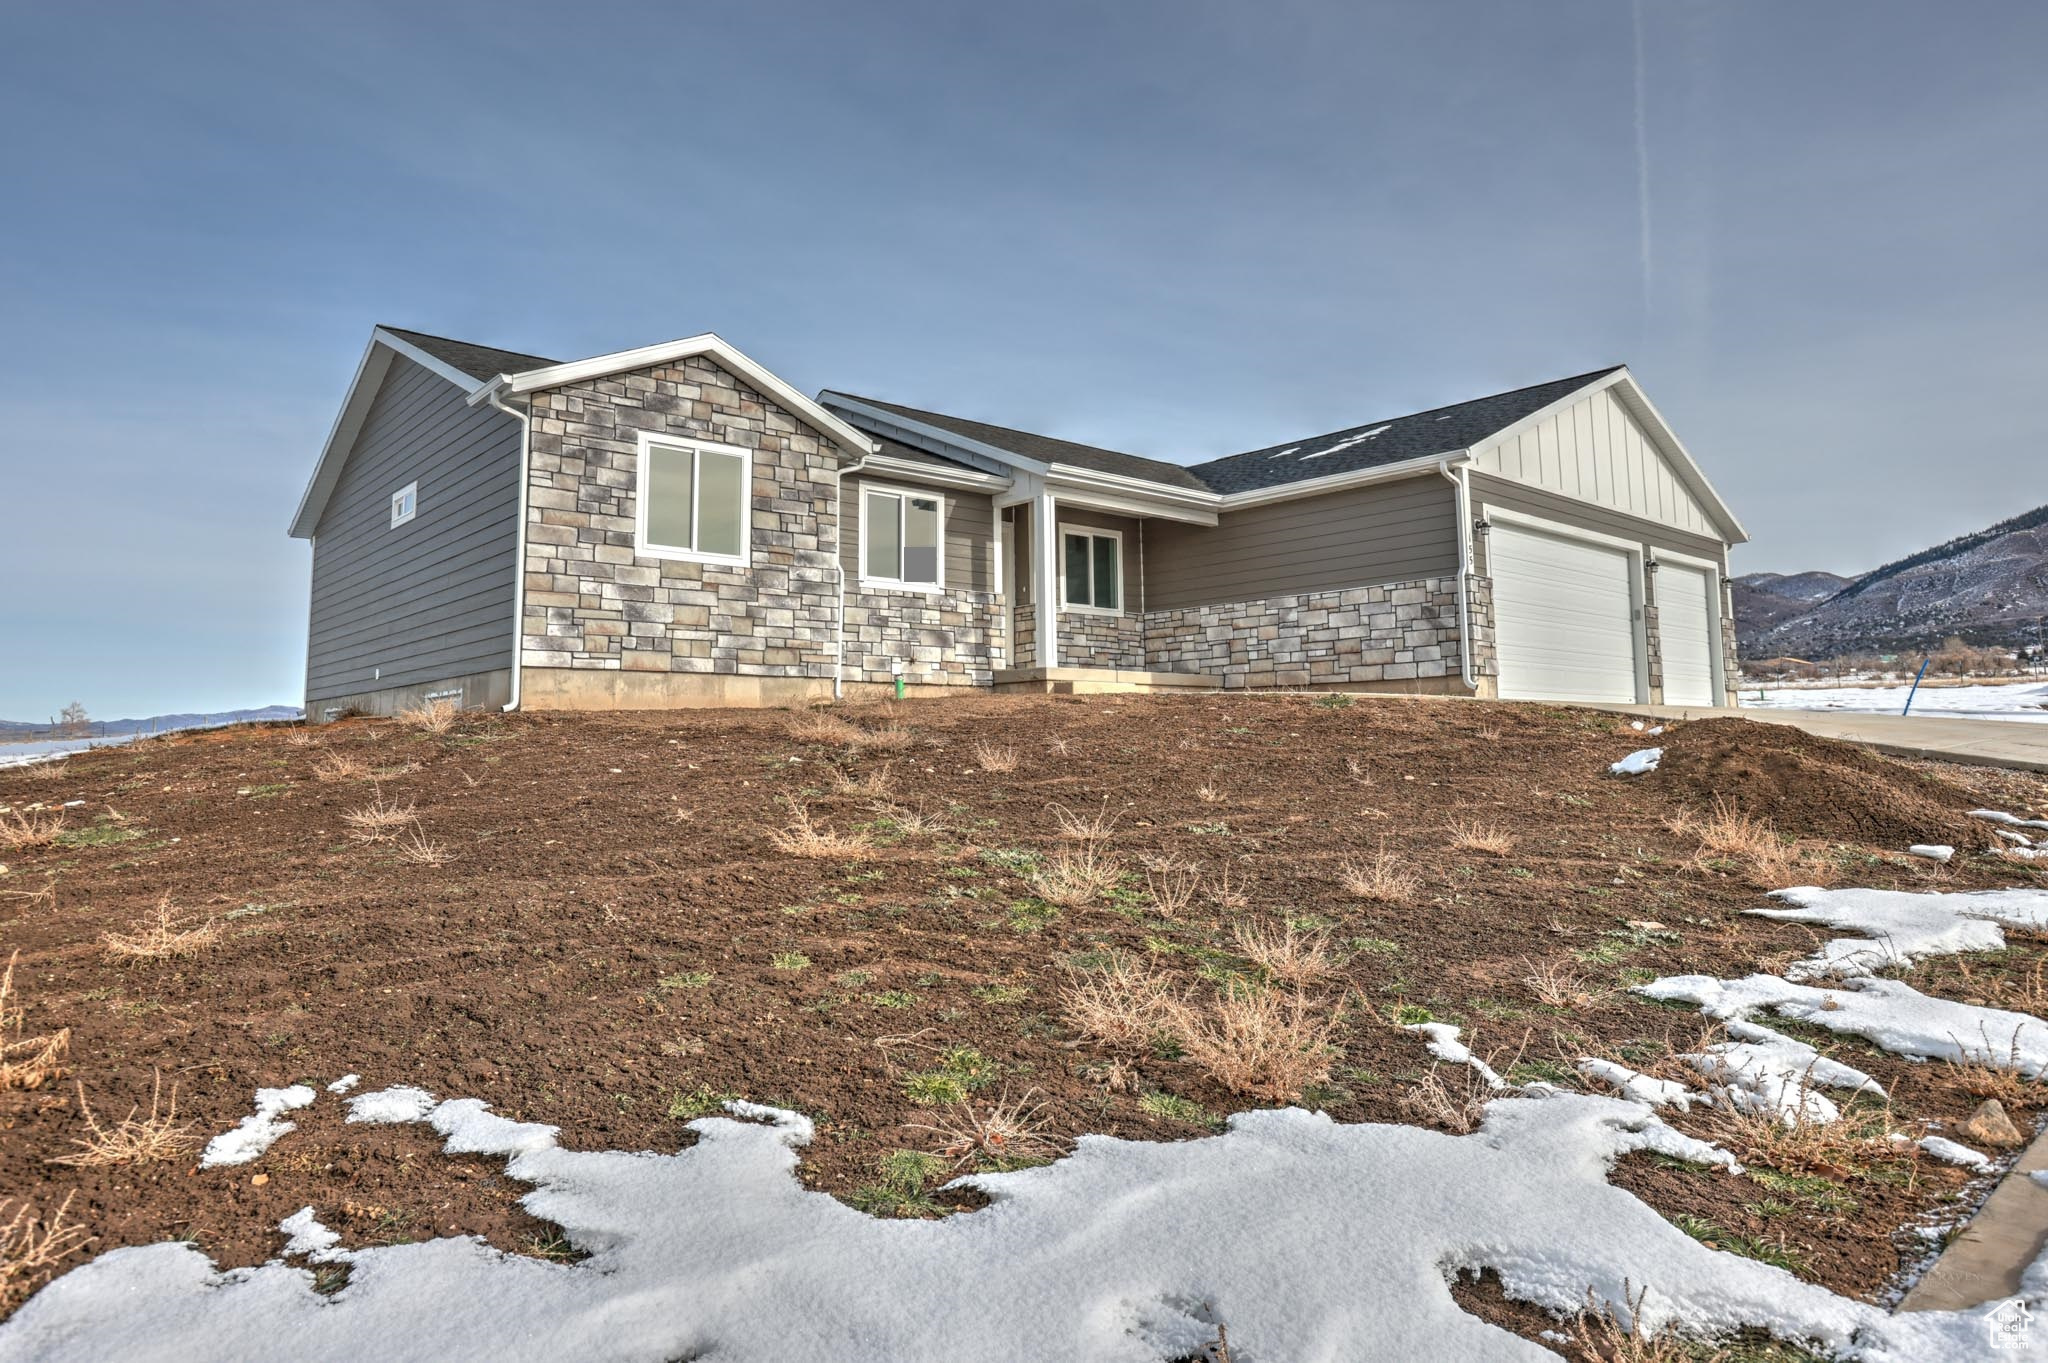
pixel 1441 431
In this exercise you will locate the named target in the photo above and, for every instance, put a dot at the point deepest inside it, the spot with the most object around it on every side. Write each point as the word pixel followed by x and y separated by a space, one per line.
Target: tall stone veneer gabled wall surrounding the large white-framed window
pixel 595 605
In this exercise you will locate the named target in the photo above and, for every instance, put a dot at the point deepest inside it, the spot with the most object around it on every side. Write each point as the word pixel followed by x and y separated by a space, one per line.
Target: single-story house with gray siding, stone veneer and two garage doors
pixel 677 527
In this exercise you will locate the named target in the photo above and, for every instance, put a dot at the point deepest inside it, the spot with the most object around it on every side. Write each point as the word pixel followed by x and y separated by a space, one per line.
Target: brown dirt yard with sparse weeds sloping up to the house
pixel 591 922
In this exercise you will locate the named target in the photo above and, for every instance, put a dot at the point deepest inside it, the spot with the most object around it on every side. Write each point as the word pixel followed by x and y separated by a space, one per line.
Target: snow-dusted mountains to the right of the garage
pixel 1988 588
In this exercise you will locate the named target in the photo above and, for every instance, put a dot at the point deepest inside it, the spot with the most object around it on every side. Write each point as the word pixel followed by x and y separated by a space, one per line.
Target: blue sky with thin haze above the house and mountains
pixel 1818 232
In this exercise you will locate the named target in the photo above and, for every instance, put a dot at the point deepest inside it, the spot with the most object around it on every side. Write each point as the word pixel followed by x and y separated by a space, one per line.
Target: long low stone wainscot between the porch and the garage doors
pixel 1404 631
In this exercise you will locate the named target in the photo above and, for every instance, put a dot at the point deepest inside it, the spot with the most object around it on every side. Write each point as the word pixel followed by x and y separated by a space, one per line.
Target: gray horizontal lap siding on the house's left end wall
pixel 433 599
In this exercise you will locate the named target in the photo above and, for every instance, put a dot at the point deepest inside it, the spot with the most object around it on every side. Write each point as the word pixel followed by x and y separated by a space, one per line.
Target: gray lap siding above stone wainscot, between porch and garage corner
pixel 1363 537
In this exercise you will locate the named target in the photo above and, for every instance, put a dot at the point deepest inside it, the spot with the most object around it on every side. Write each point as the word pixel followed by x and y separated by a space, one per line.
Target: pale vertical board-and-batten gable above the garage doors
pixel 1596 451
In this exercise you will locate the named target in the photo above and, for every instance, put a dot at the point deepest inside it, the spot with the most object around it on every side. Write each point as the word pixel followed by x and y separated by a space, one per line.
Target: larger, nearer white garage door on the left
pixel 1564 617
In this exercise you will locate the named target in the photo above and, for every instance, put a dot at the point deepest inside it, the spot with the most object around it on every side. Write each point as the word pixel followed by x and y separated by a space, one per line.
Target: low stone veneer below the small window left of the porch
pixel 943 640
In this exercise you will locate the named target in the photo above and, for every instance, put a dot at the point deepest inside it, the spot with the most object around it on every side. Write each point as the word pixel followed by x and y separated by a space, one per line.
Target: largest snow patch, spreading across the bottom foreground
pixel 1121 1251
